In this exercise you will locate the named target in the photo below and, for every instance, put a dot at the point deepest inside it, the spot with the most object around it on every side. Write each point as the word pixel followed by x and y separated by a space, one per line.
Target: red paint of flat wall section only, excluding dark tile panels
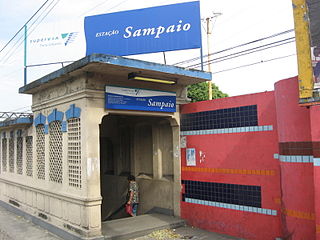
pixel 239 151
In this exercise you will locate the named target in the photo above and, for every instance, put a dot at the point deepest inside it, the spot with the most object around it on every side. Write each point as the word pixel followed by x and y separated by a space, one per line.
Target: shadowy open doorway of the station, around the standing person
pixel 141 146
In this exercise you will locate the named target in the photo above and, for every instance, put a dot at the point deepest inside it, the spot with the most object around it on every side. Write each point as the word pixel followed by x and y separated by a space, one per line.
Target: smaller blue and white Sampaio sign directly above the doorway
pixel 139 99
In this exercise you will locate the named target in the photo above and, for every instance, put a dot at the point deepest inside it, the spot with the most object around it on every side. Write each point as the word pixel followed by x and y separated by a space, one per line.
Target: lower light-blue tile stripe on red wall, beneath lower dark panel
pixel 233 206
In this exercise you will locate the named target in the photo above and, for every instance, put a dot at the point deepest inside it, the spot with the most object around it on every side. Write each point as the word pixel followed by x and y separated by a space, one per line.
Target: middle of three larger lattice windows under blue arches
pixel 55 152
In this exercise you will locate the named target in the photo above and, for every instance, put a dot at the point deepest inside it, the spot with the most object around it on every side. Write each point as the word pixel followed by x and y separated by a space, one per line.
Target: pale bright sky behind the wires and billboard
pixel 238 22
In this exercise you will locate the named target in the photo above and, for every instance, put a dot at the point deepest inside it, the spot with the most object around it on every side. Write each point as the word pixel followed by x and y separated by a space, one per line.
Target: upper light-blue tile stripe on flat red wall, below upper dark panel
pixel 229 130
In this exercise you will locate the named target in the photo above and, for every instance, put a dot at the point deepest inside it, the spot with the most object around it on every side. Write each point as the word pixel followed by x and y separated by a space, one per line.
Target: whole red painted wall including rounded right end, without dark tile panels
pixel 291 188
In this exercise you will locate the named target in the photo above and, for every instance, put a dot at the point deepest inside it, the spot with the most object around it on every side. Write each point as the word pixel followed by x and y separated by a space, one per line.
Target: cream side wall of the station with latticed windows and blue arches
pixel 41 170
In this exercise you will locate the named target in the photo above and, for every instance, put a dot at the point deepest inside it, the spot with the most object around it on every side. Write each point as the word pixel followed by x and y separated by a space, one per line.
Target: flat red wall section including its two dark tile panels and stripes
pixel 232 183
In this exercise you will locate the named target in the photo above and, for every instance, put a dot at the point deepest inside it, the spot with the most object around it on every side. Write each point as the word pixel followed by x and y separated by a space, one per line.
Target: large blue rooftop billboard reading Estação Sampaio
pixel 148 30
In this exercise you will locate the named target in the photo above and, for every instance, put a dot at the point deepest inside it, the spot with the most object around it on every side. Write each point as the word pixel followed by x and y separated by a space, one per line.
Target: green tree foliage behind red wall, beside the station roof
pixel 199 92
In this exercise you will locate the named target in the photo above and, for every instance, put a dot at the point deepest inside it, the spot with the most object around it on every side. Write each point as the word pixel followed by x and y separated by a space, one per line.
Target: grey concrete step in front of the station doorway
pixel 133 227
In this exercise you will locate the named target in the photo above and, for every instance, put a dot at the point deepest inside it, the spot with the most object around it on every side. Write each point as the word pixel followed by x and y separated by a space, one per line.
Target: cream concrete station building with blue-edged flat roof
pixel 66 168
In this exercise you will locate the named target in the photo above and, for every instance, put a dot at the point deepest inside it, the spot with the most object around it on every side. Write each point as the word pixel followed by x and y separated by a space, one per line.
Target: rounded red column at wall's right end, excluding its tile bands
pixel 296 178
